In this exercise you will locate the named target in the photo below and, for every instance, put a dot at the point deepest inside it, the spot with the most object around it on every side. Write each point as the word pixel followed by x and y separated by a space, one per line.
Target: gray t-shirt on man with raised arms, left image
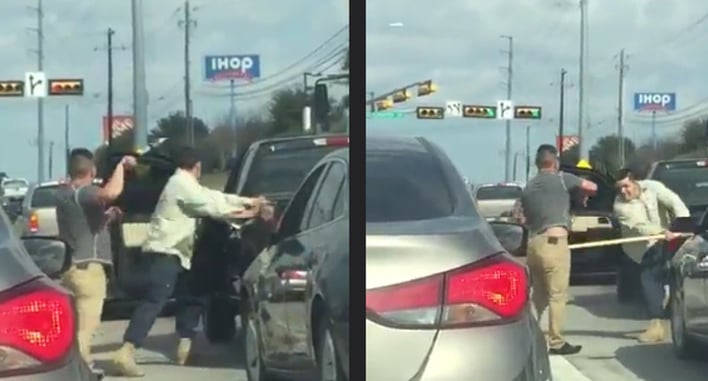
pixel 82 224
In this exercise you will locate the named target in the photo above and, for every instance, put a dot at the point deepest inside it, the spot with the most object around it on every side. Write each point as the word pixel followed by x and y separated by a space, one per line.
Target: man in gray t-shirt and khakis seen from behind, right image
pixel 545 206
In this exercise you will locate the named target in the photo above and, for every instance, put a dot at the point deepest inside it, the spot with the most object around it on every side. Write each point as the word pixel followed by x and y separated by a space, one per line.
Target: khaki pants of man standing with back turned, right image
pixel 548 259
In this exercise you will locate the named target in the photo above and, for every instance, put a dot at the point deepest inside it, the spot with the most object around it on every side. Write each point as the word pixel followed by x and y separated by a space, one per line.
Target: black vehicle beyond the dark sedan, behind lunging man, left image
pixel 273 168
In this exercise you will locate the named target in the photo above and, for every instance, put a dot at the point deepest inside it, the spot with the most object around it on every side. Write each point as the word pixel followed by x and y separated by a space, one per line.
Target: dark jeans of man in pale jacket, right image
pixel 653 277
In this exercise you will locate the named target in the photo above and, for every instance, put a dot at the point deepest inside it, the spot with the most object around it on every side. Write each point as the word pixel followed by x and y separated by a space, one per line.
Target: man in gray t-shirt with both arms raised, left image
pixel 82 218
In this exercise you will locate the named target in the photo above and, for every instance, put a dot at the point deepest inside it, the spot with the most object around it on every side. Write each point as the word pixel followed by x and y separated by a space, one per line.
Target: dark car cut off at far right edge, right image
pixel 689 290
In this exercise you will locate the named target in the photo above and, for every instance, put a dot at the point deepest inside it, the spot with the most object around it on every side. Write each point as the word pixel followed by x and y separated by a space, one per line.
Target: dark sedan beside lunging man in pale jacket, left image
pixel 295 295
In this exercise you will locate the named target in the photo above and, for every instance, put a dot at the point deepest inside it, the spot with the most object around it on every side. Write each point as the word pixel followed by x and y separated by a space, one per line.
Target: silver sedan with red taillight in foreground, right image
pixel 444 299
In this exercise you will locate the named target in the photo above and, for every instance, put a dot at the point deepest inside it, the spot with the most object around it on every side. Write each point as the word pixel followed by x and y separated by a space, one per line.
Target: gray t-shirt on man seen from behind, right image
pixel 546 200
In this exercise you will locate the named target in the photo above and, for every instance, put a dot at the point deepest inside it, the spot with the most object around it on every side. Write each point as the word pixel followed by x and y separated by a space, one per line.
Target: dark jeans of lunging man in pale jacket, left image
pixel 166 277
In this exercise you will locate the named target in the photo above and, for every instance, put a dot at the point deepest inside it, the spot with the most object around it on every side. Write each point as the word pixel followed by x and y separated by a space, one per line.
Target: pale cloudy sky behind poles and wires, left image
pixel 280 31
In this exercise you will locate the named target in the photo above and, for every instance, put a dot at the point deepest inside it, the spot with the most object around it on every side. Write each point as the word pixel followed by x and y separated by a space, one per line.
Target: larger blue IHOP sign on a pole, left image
pixel 234 66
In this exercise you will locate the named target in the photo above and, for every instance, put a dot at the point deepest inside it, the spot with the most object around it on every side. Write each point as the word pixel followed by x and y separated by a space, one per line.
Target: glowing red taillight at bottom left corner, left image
pixel 36 327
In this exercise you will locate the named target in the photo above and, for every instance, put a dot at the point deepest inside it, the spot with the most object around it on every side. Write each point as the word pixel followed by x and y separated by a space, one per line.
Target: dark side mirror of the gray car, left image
pixel 51 255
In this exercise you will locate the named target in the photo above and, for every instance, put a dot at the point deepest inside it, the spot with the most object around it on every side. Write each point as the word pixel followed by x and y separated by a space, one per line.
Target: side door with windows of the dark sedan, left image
pixel 316 240
